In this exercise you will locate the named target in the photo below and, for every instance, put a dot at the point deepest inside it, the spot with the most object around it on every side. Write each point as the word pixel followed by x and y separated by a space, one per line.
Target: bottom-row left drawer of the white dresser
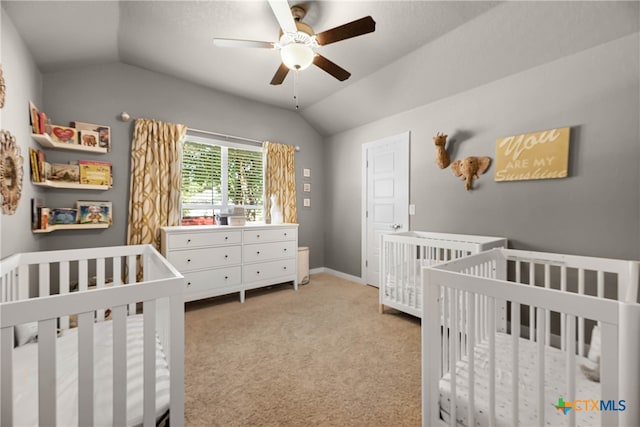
pixel 210 283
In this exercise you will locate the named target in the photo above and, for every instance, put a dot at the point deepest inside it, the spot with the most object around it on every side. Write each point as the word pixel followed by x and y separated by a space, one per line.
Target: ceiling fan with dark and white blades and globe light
pixel 298 43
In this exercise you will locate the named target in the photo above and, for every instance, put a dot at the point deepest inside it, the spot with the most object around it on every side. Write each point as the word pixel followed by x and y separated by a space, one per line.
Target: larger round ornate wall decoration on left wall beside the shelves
pixel 11 163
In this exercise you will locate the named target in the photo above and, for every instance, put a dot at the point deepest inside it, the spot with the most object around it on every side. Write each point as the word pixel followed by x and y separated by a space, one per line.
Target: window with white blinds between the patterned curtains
pixel 217 176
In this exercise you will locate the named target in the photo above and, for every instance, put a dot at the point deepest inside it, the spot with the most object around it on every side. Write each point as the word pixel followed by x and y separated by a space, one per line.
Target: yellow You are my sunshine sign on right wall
pixel 538 155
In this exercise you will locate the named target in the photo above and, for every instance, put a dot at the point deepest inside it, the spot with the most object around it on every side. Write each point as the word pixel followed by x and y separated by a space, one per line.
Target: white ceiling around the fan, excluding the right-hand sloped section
pixel 175 38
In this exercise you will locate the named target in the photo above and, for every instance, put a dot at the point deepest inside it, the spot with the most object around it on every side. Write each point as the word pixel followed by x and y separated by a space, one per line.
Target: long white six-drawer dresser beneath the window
pixel 221 259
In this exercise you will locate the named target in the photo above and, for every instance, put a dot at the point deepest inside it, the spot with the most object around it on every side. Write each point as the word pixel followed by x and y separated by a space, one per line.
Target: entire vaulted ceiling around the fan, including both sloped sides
pixel 421 50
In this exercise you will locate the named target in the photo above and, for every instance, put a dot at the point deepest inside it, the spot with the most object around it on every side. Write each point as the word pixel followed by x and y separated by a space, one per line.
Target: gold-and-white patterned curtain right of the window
pixel 280 181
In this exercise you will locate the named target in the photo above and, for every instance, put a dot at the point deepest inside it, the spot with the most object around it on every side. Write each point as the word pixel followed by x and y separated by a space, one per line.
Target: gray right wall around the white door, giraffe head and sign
pixel 595 211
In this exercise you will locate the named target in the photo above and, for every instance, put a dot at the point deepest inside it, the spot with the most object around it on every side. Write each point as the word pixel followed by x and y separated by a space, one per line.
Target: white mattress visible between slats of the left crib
pixel 25 378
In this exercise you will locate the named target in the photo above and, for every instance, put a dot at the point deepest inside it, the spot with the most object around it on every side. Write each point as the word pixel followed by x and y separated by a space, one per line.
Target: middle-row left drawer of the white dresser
pixel 197 259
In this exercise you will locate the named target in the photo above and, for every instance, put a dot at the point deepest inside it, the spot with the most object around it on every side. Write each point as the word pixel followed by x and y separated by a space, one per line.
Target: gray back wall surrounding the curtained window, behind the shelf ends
pixel 98 94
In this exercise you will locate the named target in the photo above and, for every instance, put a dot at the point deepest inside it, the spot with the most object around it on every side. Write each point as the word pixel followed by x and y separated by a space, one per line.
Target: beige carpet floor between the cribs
pixel 322 356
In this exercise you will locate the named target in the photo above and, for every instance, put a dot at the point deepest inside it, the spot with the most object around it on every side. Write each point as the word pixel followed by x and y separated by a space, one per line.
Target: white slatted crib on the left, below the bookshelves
pixel 123 364
